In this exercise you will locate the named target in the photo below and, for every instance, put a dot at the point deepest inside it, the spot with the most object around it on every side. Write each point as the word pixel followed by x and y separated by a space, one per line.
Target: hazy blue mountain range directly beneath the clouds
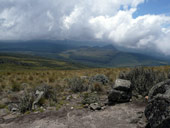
pixel 91 54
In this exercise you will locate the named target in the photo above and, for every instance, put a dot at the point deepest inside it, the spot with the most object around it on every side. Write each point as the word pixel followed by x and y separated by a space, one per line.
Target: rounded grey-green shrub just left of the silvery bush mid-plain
pixel 77 84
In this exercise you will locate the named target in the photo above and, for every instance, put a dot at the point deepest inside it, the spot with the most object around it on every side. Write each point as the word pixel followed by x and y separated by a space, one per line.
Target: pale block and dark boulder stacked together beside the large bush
pixel 121 92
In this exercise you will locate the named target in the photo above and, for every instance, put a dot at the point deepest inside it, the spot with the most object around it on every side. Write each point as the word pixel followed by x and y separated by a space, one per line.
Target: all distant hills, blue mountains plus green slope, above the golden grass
pixel 69 55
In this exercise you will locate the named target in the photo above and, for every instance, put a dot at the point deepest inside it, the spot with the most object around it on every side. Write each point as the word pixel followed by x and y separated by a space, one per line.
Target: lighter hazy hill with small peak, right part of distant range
pixel 110 57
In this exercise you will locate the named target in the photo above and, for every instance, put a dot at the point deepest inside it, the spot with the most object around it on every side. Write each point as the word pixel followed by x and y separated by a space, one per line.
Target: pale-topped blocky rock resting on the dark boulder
pixel 122 85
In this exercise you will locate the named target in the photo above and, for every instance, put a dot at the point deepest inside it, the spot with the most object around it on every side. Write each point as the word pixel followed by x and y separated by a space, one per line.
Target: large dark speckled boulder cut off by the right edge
pixel 157 111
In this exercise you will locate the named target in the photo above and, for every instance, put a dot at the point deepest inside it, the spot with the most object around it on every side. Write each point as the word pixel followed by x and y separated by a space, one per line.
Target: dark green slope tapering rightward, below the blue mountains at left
pixel 22 61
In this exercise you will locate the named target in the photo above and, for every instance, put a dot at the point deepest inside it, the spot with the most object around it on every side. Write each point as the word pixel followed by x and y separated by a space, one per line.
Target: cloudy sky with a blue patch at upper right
pixel 138 24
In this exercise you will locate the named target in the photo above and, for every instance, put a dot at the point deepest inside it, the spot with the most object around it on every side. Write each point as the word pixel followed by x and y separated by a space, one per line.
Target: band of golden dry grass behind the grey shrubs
pixel 59 77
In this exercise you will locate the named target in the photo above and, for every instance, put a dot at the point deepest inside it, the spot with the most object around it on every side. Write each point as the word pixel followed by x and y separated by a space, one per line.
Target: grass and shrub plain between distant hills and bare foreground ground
pixel 64 87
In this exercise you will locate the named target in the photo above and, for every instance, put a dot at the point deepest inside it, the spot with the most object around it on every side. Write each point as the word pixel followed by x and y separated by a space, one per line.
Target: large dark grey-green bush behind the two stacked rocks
pixel 143 79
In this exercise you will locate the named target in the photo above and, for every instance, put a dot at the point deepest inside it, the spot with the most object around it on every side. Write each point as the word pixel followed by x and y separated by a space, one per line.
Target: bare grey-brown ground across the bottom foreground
pixel 118 116
